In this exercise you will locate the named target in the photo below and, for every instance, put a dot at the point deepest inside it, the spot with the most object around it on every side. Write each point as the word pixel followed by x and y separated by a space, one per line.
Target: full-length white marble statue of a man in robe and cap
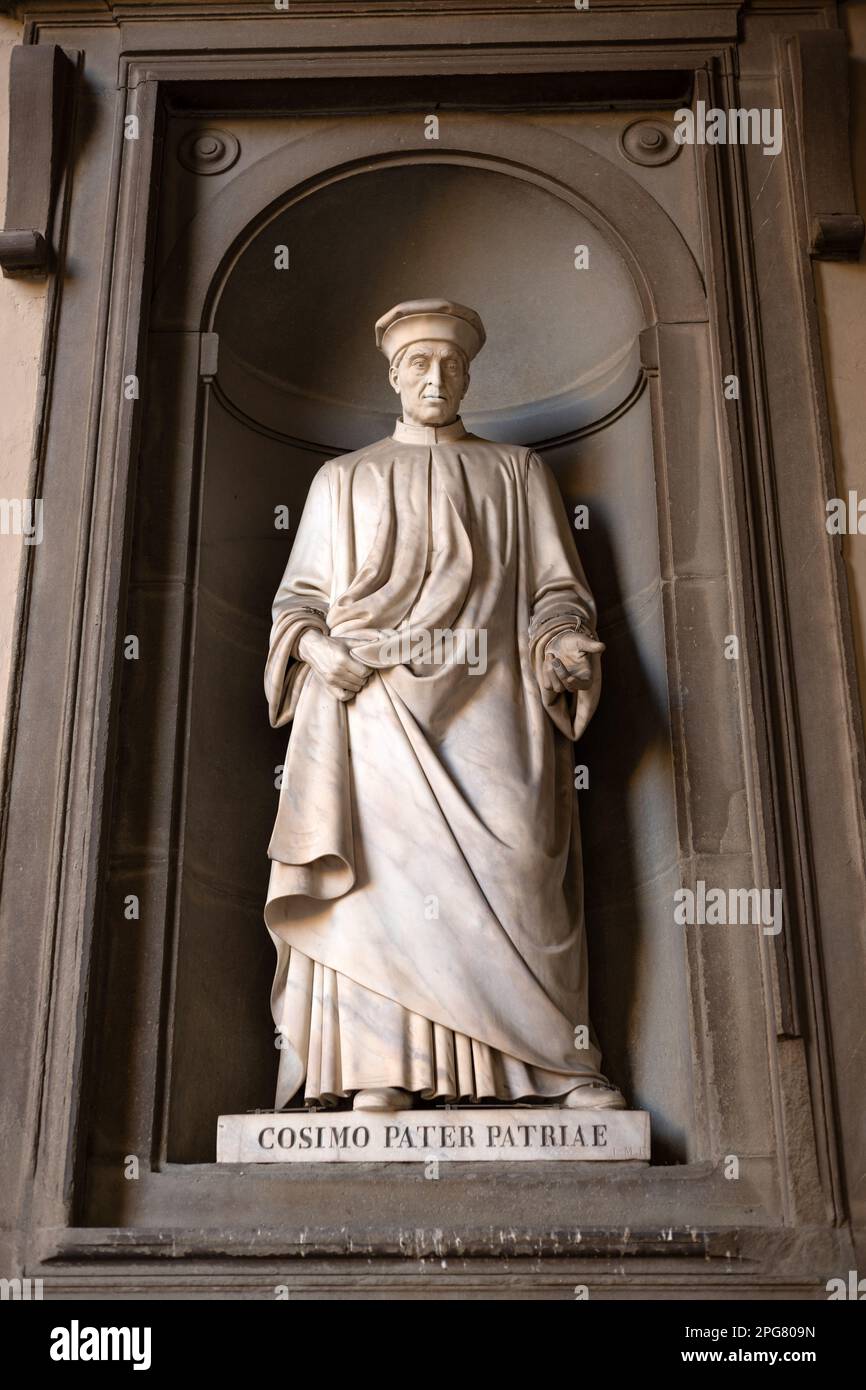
pixel 434 646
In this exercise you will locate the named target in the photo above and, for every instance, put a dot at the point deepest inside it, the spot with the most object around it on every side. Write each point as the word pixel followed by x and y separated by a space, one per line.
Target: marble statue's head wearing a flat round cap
pixel 430 344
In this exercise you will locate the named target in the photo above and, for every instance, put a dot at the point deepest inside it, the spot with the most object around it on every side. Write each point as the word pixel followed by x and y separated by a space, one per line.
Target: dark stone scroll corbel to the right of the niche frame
pixel 818 65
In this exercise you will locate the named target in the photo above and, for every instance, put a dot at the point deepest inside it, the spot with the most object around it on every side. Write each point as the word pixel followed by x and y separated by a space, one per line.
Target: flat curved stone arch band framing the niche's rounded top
pixel 194 273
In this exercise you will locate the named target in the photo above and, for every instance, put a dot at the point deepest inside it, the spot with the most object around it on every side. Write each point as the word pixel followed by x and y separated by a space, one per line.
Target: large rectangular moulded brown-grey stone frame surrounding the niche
pixel 790 604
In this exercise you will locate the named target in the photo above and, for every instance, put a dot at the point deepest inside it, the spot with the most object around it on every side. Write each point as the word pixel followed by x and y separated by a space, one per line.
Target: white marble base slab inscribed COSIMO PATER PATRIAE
pixel 471 1135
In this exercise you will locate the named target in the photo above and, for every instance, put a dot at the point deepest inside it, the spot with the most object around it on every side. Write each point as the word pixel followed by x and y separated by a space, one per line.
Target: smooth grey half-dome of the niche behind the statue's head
pixel 505 247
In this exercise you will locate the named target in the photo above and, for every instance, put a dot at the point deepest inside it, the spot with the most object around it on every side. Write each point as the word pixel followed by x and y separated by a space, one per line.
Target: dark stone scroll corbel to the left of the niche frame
pixel 41 106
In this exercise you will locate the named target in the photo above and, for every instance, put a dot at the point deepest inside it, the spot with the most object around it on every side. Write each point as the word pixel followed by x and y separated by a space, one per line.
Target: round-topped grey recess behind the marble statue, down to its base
pixel 298 382
